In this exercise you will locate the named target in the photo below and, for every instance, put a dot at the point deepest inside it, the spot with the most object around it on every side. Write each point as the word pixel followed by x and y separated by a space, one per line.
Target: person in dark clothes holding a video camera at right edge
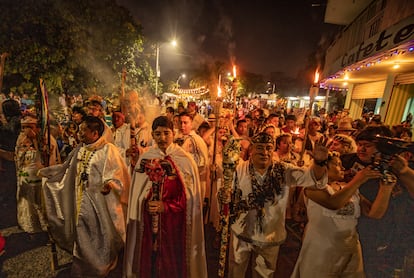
pixel 384 241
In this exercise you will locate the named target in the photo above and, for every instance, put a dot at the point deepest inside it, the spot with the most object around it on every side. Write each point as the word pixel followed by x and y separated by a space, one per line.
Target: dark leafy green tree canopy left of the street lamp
pixel 76 46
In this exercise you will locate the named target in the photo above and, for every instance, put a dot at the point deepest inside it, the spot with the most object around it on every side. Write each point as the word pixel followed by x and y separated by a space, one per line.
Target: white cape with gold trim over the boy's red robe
pixel 140 187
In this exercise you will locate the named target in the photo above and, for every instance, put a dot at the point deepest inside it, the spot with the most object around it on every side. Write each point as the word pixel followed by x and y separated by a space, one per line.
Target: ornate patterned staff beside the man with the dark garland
pixel 231 154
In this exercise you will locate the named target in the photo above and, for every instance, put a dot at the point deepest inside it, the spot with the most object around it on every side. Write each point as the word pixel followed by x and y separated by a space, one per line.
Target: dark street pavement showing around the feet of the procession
pixel 30 255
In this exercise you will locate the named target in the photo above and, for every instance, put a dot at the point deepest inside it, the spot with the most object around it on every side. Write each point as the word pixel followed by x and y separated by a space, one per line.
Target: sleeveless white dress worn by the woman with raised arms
pixel 331 247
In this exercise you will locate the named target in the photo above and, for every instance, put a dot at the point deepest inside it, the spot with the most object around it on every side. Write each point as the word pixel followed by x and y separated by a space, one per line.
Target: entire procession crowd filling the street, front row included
pixel 103 182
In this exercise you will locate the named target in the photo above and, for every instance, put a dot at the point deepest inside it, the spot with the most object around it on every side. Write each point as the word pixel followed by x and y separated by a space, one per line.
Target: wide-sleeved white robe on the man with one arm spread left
pixel 81 219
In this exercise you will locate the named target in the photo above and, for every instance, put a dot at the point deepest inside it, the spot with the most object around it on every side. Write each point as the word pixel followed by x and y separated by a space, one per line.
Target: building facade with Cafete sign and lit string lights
pixel 373 56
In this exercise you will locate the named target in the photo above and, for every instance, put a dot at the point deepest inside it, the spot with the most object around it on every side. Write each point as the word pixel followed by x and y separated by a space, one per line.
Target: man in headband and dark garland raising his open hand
pixel 260 190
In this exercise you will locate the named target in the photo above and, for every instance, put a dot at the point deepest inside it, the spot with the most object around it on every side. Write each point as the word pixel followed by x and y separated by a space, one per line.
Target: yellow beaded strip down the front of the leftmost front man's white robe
pixel 84 170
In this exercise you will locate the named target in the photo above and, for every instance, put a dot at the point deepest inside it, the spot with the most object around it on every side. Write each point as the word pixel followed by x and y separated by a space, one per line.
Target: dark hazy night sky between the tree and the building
pixel 260 36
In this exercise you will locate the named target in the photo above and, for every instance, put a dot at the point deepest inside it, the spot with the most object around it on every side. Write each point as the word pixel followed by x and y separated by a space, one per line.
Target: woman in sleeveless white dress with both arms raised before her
pixel 331 247
